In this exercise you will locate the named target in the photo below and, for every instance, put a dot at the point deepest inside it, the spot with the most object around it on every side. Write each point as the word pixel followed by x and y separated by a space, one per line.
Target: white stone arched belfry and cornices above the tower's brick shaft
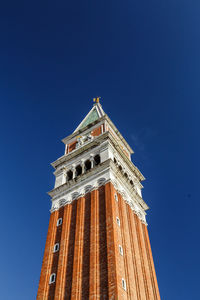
pixel 73 177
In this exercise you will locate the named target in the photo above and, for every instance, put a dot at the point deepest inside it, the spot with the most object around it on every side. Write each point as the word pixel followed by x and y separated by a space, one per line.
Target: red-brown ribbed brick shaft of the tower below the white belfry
pixel 88 264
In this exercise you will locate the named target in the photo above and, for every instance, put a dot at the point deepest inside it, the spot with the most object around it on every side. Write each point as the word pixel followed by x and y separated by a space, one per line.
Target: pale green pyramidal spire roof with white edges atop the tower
pixel 94 114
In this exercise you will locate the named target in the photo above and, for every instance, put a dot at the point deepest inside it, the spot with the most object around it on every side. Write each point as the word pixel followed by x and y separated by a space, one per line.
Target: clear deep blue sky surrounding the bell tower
pixel 142 58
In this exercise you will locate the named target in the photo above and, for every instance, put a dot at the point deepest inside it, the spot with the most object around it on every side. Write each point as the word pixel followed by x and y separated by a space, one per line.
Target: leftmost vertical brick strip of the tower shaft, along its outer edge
pixel 47 259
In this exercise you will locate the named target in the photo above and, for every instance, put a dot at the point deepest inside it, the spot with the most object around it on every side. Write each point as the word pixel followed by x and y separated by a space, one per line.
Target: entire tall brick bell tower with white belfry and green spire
pixel 97 243
